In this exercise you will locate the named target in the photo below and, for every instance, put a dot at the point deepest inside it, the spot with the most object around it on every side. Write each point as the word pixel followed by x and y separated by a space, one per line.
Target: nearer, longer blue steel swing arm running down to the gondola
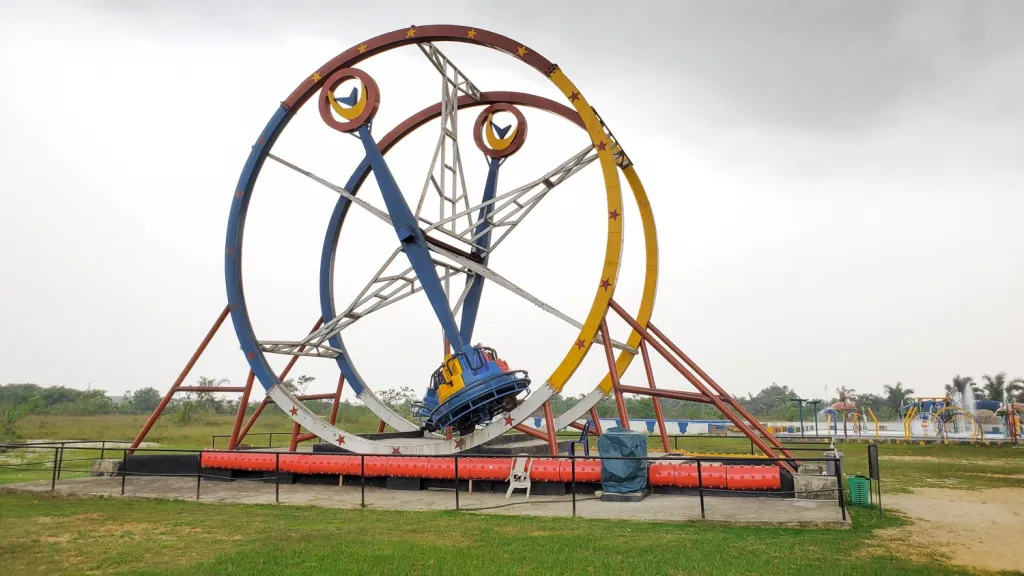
pixel 413 242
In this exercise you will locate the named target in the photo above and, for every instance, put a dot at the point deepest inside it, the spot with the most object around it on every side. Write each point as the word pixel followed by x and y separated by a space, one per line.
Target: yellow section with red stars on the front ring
pixel 614 246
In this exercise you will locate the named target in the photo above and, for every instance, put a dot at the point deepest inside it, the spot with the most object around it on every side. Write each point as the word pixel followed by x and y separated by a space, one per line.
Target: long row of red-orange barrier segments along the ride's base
pixel 682 475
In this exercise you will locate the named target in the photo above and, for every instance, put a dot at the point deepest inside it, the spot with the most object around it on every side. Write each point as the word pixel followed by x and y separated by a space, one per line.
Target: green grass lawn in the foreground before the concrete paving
pixel 49 536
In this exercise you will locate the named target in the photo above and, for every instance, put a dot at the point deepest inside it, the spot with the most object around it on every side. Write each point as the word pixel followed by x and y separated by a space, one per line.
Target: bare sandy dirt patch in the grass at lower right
pixel 979 529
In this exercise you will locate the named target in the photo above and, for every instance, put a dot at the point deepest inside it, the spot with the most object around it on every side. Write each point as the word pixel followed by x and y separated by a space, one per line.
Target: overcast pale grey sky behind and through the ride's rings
pixel 838 186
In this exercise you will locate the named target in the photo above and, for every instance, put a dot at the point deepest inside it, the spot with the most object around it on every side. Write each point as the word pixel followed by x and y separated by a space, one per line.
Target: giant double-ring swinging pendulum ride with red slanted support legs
pixel 474 398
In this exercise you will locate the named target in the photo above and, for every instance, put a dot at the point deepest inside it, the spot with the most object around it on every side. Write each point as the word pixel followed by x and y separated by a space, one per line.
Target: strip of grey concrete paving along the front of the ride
pixel 748 511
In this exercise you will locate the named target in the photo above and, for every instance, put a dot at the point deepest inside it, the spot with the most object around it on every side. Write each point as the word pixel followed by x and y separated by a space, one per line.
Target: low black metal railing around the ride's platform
pixel 59 465
